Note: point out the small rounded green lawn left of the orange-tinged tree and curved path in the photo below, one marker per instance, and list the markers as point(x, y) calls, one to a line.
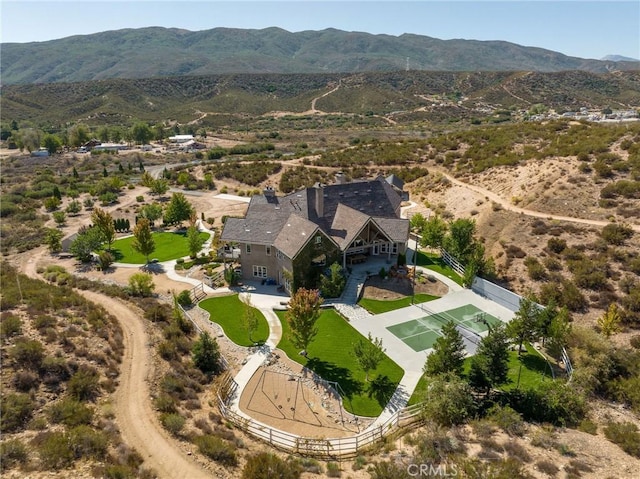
point(228, 312)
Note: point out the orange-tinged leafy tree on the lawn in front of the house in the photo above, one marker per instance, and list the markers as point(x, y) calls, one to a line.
point(303, 312)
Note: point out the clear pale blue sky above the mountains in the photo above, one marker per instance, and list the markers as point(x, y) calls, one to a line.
point(587, 29)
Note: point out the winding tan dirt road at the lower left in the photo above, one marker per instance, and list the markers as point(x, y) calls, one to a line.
point(135, 415)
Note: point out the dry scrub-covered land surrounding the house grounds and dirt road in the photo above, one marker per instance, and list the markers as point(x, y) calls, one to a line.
point(60, 356)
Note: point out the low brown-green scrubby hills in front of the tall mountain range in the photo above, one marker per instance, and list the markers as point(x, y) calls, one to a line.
point(403, 95)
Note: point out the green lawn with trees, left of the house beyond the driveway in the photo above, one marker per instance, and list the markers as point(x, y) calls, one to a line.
point(168, 246)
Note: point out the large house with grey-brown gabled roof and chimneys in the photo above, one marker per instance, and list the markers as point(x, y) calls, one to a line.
point(292, 239)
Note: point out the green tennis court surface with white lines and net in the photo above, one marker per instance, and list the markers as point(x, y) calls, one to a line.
point(420, 334)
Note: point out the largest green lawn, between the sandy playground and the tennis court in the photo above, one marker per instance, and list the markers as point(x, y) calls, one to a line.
point(330, 356)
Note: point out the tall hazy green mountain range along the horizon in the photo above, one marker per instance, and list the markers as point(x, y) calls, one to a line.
point(163, 52)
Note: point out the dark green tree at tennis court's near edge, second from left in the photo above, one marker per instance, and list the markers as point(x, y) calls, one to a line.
point(490, 365)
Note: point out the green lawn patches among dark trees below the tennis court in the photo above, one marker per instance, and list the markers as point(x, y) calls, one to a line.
point(534, 371)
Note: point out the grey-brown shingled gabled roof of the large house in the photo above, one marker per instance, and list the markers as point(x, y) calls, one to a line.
point(339, 210)
